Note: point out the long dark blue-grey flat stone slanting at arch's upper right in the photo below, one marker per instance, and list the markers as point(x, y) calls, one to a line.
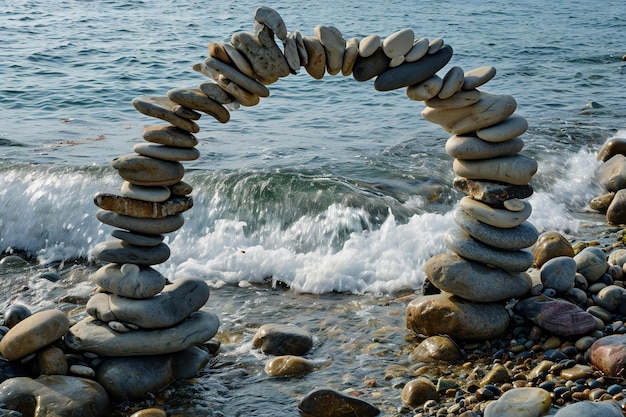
point(413, 72)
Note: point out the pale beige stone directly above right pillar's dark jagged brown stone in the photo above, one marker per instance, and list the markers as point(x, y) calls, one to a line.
point(516, 169)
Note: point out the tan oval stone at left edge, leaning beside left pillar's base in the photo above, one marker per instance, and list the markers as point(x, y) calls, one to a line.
point(33, 333)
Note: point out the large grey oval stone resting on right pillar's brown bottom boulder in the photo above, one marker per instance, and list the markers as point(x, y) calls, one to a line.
point(475, 281)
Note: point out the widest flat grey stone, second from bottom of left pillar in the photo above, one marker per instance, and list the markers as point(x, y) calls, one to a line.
point(91, 335)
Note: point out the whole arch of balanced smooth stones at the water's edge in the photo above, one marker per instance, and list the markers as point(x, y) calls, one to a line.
point(488, 243)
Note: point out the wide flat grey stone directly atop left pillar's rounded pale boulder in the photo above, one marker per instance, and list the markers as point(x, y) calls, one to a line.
point(119, 251)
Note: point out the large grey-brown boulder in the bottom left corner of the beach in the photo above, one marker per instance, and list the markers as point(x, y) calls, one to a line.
point(55, 395)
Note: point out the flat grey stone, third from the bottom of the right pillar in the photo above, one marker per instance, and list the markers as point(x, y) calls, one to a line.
point(461, 243)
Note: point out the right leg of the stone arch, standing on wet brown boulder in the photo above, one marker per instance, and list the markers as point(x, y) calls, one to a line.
point(489, 259)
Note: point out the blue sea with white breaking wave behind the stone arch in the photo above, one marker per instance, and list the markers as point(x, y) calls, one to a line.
point(327, 186)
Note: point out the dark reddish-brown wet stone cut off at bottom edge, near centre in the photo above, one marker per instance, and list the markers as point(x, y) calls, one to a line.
point(330, 403)
